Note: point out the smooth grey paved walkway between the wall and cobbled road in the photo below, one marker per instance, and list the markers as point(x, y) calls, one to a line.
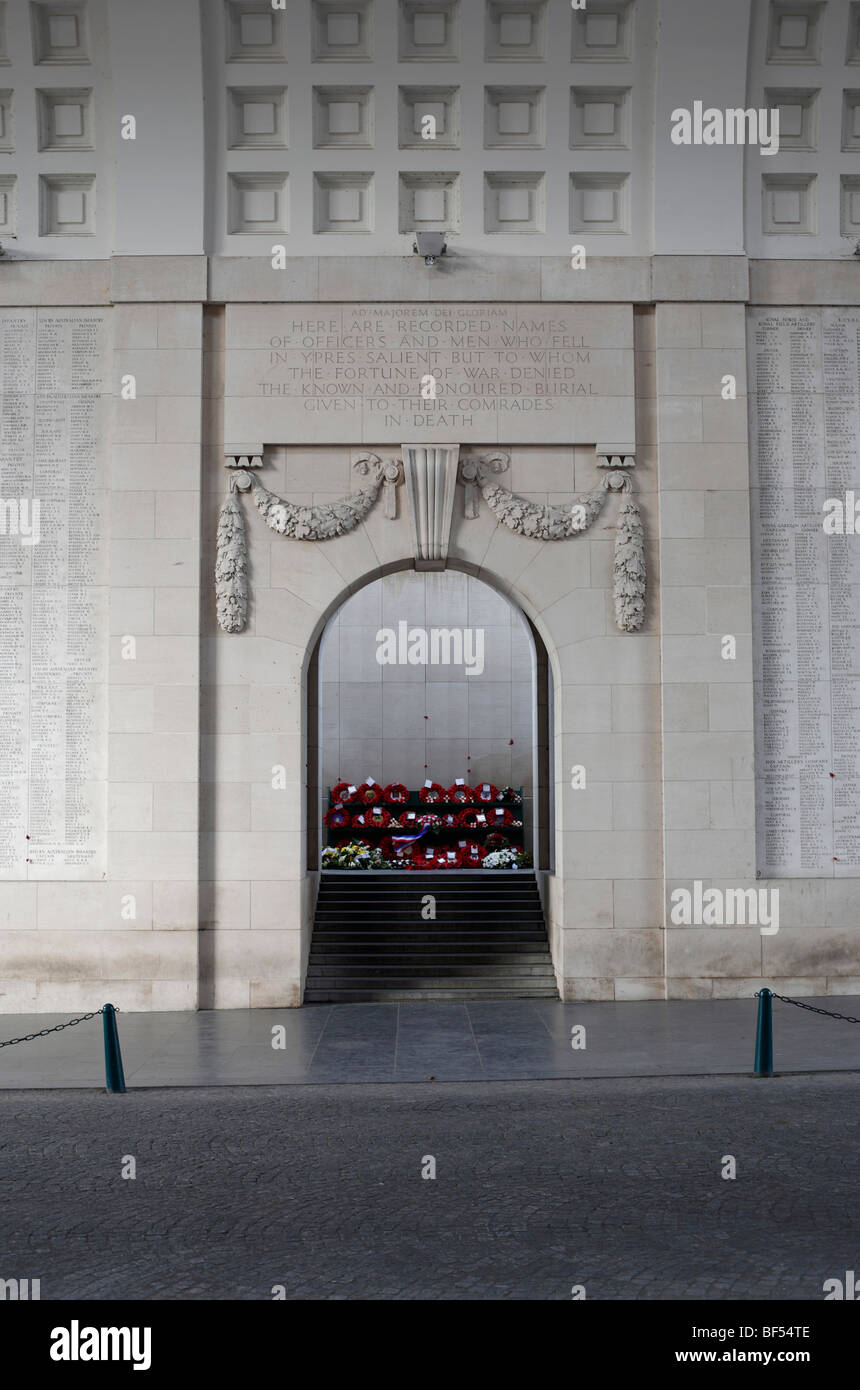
point(451, 1042)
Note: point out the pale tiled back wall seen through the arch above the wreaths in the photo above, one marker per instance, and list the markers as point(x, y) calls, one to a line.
point(481, 712)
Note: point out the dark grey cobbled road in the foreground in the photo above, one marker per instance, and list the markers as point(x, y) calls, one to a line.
point(540, 1186)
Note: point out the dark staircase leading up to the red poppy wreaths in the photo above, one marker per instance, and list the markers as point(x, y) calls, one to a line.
point(372, 943)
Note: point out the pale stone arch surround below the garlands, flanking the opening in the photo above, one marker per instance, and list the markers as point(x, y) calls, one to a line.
point(606, 865)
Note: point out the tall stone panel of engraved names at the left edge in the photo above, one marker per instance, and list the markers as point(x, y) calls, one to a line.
point(53, 601)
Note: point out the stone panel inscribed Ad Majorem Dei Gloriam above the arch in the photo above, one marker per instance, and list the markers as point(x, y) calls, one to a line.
point(444, 373)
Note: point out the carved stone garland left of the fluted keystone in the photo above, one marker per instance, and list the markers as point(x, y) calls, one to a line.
point(291, 519)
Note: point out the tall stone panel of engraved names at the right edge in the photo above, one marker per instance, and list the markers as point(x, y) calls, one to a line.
point(805, 416)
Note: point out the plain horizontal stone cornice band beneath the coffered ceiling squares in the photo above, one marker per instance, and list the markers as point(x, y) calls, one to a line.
point(625, 280)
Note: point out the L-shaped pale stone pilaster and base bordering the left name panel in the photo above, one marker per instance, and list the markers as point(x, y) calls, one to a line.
point(131, 938)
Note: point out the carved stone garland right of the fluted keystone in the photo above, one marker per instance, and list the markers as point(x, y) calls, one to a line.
point(559, 523)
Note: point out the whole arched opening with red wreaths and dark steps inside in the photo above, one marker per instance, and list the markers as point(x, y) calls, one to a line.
point(430, 679)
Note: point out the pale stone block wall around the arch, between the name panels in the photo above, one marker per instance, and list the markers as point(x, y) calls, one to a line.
point(209, 899)
